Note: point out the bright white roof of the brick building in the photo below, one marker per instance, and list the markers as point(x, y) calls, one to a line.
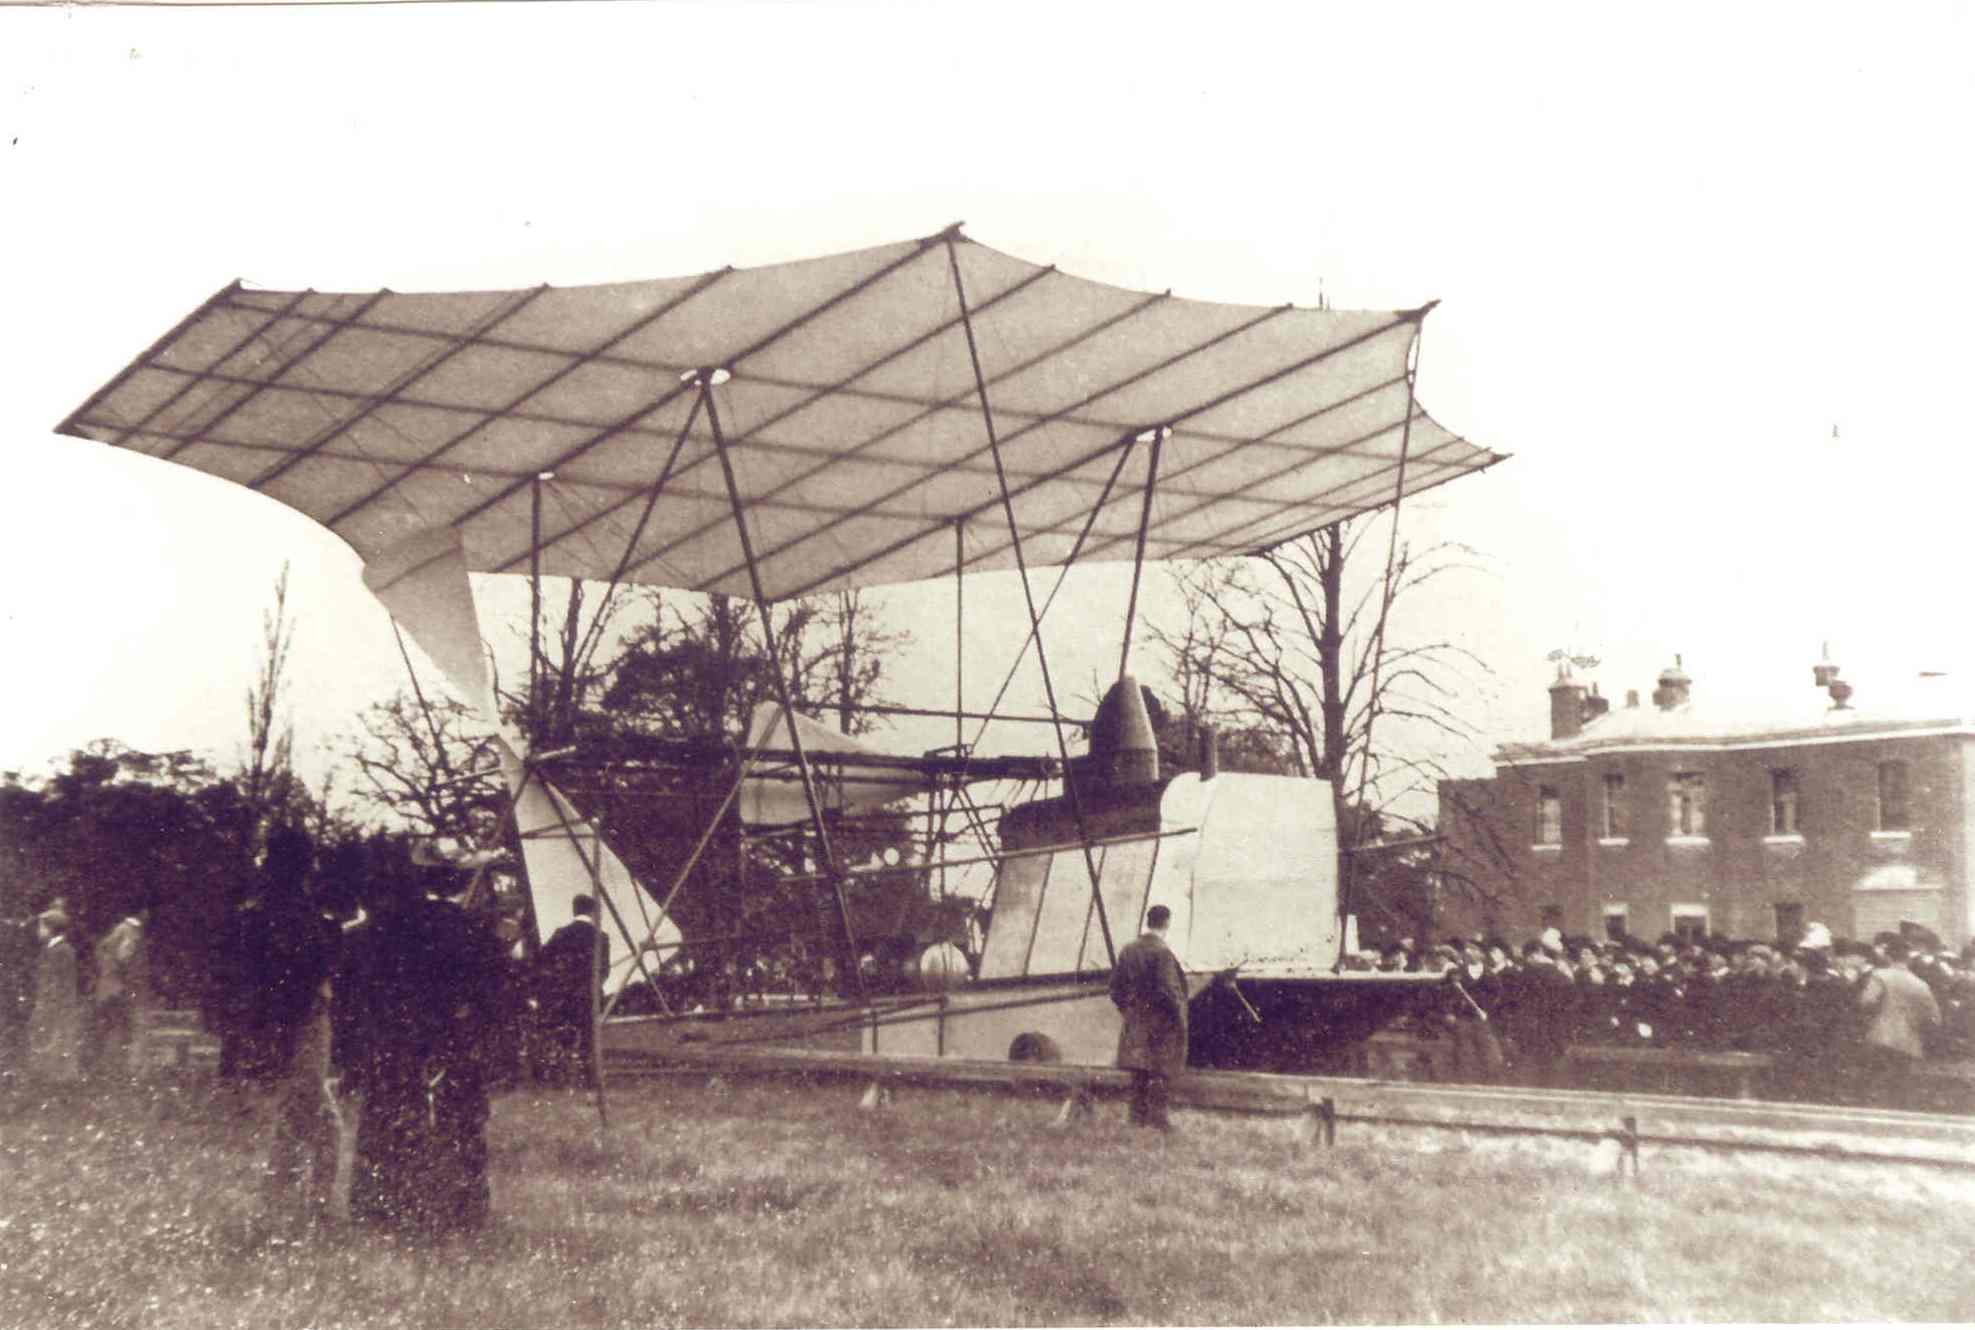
point(1887, 708)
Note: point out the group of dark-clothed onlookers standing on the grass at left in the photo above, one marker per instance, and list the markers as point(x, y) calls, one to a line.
point(360, 985)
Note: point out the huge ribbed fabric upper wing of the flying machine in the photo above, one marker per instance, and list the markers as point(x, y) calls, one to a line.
point(850, 412)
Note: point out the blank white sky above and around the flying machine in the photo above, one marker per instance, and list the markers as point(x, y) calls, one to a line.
point(1676, 246)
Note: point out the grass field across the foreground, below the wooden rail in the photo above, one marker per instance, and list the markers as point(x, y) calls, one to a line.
point(769, 1205)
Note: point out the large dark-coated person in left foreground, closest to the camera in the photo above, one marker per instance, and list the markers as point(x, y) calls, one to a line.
point(420, 987)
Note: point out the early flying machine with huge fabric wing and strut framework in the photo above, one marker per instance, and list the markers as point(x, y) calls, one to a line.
point(921, 410)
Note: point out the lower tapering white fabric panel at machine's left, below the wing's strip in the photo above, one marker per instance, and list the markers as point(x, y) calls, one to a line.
point(568, 859)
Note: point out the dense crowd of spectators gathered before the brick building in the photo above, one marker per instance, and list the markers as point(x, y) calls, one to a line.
point(1846, 1015)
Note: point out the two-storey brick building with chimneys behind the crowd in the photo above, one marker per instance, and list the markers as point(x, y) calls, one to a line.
point(1672, 817)
